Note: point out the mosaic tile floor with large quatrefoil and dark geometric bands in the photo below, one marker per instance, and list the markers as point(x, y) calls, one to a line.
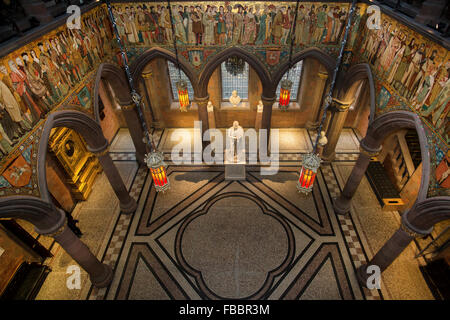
point(208, 238)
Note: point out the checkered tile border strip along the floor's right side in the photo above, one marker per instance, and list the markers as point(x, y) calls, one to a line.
point(349, 231)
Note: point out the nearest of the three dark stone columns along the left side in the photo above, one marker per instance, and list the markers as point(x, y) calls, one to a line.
point(100, 274)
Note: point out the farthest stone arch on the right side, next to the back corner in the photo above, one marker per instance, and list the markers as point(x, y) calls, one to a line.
point(354, 74)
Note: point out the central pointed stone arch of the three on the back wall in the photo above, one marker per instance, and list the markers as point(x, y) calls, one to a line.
point(209, 68)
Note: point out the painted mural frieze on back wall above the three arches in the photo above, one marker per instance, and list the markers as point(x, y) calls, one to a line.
point(203, 29)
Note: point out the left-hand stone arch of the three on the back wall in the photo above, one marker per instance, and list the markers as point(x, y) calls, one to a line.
point(139, 64)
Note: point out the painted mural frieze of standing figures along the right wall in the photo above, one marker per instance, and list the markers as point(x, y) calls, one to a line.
point(411, 73)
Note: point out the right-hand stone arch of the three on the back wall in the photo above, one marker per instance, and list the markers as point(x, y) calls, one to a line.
point(328, 62)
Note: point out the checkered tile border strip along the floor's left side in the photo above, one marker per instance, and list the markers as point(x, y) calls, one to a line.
point(117, 239)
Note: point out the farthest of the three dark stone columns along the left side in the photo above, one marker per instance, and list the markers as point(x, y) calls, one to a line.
point(130, 114)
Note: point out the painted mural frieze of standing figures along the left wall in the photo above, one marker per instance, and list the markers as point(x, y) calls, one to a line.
point(50, 73)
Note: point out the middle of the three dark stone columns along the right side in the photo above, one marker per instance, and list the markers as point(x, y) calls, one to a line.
point(342, 204)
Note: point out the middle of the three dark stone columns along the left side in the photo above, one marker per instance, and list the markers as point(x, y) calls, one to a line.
point(127, 203)
